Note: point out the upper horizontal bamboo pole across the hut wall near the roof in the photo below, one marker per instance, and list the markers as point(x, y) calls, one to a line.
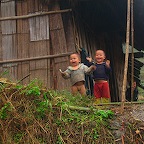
point(34, 15)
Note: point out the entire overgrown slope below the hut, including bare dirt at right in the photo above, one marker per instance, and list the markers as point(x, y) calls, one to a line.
point(31, 114)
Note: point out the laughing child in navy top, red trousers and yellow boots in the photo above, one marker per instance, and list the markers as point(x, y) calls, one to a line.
point(101, 77)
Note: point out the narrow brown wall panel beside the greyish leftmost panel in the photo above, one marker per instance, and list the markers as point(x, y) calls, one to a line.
point(23, 41)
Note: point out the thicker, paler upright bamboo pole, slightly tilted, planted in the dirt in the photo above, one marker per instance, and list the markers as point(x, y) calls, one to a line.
point(126, 56)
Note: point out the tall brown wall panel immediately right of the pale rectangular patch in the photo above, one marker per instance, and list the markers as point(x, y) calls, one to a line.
point(58, 43)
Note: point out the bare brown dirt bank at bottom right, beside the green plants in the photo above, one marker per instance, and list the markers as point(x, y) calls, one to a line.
point(128, 127)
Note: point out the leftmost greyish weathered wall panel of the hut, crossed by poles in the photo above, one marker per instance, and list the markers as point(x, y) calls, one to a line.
point(8, 42)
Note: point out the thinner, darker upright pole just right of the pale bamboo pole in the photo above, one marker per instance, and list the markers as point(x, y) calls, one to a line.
point(132, 52)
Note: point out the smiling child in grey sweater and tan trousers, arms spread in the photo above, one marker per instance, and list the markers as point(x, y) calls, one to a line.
point(76, 72)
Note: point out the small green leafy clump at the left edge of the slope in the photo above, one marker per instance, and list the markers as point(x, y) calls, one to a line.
point(4, 110)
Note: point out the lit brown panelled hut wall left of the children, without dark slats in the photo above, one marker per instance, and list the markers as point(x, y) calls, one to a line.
point(34, 37)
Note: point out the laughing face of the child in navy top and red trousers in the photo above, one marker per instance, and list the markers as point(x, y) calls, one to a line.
point(100, 56)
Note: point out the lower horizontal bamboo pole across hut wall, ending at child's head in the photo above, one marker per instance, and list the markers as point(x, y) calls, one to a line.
point(36, 58)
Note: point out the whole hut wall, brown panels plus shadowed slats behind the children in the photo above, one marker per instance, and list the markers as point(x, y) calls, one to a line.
point(52, 34)
